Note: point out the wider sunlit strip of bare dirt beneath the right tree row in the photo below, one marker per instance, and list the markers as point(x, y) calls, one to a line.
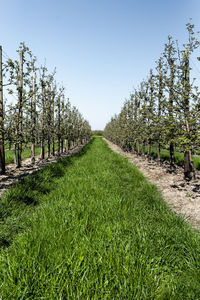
point(182, 197)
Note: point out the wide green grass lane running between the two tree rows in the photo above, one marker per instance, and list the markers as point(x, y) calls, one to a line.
point(92, 227)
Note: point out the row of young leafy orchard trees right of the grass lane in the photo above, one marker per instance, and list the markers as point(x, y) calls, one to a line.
point(164, 112)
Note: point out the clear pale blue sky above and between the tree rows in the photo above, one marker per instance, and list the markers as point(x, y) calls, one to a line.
point(101, 49)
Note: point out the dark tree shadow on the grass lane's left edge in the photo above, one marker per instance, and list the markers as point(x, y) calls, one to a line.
point(25, 196)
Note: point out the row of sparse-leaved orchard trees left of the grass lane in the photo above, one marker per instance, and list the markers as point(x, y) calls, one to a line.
point(40, 115)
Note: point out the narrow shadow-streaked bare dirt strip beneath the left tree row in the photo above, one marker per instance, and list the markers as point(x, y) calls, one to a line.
point(13, 174)
